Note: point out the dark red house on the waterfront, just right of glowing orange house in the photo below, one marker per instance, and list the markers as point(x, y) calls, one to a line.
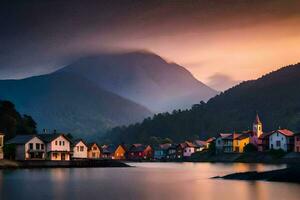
point(140, 152)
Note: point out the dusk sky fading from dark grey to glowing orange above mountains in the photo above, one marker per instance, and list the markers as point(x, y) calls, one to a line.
point(221, 42)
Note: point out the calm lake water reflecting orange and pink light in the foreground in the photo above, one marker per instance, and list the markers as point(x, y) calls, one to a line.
point(145, 181)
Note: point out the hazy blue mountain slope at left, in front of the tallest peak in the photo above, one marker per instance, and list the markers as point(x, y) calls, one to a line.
point(71, 104)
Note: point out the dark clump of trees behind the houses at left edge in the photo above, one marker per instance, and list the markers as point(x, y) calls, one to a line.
point(12, 122)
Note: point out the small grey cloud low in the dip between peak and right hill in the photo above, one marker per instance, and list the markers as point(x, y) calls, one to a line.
point(221, 82)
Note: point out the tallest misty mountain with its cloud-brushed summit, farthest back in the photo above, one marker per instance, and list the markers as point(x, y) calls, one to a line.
point(144, 78)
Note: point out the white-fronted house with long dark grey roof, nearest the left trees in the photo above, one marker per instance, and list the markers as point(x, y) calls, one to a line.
point(28, 147)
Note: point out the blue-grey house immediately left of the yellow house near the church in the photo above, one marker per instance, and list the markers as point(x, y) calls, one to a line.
point(224, 143)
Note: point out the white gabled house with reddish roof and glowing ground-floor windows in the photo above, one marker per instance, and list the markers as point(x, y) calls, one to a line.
point(58, 146)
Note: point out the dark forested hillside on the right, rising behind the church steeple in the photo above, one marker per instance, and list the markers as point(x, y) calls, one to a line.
point(275, 97)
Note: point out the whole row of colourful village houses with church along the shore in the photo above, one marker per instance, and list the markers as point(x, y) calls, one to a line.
point(58, 147)
